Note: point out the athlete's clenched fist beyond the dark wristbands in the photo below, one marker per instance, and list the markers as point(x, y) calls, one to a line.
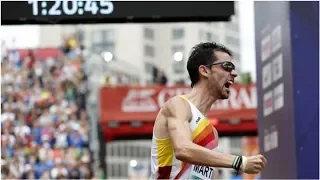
point(254, 164)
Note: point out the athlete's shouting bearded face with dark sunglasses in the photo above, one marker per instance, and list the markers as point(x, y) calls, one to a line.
point(220, 75)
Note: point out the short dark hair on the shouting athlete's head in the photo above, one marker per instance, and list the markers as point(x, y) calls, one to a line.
point(203, 54)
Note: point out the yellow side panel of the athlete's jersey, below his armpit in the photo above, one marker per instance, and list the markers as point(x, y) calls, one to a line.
point(164, 152)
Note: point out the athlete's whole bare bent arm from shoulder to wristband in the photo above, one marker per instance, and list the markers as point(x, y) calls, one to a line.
point(178, 114)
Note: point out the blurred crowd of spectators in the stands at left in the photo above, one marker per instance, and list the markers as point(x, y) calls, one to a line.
point(44, 124)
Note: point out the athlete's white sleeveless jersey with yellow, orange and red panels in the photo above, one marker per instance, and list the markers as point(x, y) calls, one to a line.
point(164, 164)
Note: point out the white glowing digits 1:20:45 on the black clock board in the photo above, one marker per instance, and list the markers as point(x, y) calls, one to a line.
point(58, 8)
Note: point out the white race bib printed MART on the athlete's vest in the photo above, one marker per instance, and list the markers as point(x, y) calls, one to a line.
point(201, 172)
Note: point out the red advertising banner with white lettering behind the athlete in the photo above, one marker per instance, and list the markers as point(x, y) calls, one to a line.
point(124, 104)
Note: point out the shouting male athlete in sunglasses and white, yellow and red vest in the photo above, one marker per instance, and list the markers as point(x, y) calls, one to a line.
point(183, 138)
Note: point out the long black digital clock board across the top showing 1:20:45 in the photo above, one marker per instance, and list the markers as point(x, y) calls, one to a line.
point(103, 11)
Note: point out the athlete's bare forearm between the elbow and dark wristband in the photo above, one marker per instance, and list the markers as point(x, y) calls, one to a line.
point(195, 154)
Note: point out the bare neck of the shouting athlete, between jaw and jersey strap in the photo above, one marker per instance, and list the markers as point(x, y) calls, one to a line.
point(201, 98)
